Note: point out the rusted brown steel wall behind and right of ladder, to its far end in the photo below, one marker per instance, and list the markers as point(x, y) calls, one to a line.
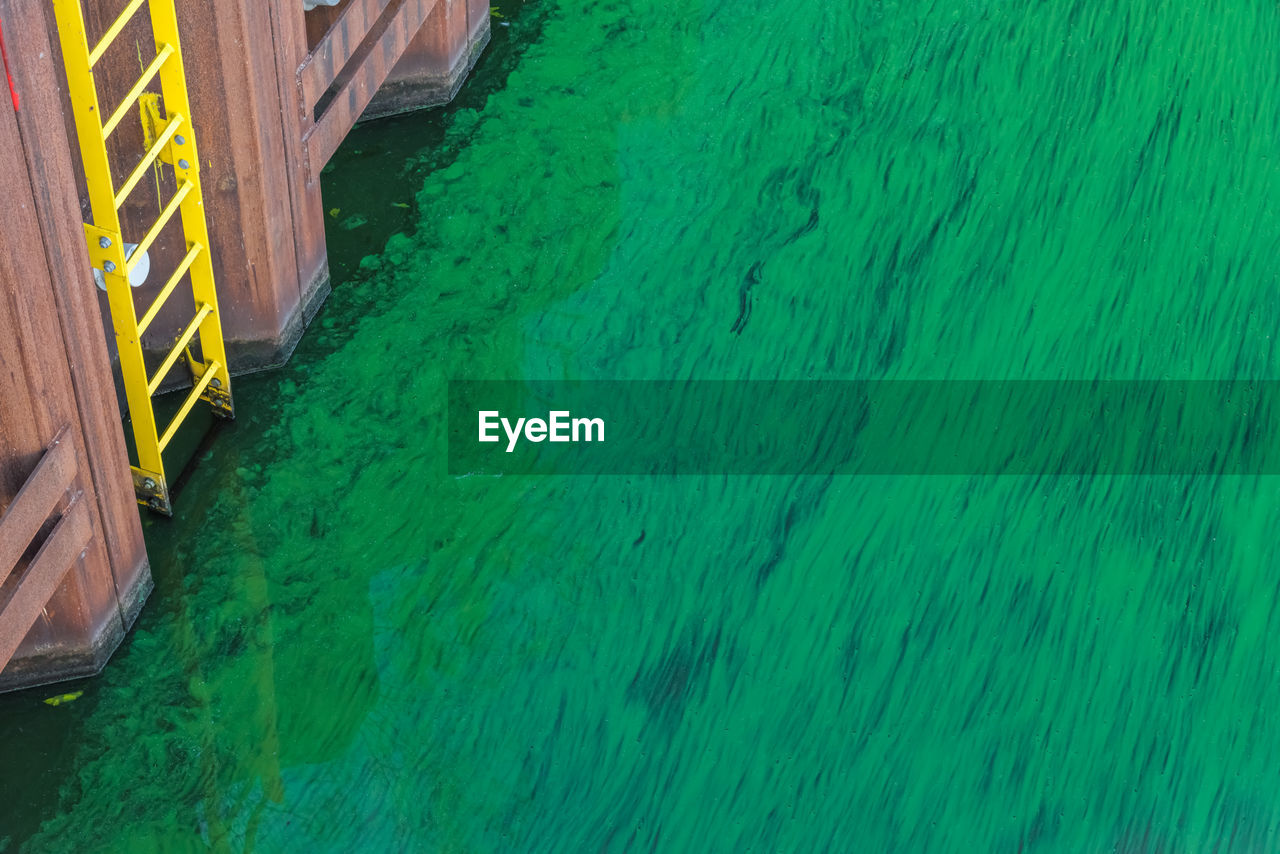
point(263, 145)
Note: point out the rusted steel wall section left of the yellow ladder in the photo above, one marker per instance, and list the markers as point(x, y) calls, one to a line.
point(56, 376)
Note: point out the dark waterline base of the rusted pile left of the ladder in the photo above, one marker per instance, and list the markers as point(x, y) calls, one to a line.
point(66, 661)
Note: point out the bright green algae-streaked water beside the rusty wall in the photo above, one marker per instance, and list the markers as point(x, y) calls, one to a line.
point(349, 650)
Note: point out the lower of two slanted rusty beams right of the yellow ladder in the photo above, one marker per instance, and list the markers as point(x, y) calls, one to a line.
point(376, 61)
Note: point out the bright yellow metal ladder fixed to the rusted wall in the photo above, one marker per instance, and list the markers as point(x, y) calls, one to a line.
point(170, 139)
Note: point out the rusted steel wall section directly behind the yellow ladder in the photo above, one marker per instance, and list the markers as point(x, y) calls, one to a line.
point(267, 236)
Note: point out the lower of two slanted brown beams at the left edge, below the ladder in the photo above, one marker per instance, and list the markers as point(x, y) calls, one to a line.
point(71, 536)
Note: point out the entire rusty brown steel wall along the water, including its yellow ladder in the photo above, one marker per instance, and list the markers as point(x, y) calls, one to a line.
point(273, 92)
